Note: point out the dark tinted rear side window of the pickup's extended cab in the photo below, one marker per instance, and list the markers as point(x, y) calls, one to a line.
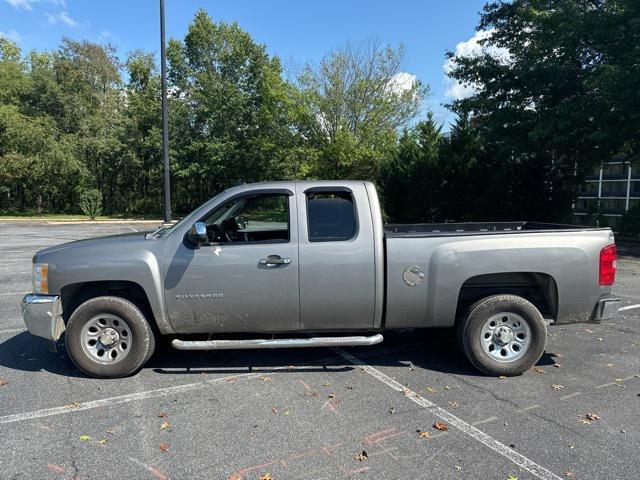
point(331, 216)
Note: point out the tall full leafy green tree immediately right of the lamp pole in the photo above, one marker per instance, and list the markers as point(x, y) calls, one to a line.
point(230, 108)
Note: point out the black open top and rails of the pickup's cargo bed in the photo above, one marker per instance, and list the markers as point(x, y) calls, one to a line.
point(475, 228)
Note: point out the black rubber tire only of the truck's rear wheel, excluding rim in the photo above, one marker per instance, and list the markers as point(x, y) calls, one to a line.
point(469, 333)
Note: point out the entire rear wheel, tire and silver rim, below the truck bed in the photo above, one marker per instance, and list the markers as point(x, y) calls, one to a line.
point(503, 335)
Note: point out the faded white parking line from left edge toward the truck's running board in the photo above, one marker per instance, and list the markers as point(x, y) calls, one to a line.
point(108, 402)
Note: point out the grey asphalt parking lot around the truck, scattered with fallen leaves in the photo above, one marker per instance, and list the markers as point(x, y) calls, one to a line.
point(362, 413)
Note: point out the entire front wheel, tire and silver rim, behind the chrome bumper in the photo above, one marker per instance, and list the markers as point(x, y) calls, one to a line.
point(109, 337)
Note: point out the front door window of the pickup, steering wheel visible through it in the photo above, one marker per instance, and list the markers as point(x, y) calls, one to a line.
point(251, 219)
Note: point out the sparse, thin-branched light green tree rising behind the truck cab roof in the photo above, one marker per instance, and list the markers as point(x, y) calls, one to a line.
point(356, 99)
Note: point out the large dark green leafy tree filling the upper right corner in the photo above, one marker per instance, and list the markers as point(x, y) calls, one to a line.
point(555, 94)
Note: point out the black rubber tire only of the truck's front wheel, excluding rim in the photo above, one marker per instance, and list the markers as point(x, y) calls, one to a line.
point(142, 337)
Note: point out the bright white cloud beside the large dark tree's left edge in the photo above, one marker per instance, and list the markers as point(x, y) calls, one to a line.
point(470, 48)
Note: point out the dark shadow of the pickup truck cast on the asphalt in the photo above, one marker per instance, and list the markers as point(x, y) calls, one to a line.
point(431, 349)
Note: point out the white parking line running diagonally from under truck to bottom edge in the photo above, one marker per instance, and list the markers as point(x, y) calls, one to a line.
point(464, 427)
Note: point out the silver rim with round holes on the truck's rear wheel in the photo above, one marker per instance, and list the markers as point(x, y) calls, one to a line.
point(505, 337)
